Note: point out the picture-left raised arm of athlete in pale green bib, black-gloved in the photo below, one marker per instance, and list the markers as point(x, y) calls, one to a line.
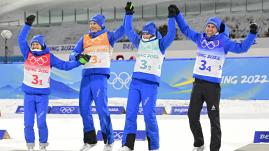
point(129, 31)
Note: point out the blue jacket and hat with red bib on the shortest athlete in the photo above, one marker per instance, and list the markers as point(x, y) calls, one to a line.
point(37, 66)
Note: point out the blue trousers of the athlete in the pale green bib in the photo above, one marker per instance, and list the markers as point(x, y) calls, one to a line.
point(145, 92)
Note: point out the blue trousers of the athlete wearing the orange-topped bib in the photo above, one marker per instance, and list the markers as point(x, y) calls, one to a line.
point(94, 88)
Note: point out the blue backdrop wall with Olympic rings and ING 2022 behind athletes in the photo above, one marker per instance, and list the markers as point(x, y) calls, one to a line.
point(243, 78)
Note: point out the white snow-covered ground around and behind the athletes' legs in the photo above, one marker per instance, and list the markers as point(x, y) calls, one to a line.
point(239, 120)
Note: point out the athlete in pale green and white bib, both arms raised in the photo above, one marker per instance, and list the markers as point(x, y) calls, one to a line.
point(146, 78)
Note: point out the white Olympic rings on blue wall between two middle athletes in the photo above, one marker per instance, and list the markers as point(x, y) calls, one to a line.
point(119, 81)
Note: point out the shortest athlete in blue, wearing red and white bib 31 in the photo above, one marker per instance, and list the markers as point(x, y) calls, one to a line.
point(36, 83)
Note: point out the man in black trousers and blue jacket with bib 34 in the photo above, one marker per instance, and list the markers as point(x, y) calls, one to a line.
point(212, 48)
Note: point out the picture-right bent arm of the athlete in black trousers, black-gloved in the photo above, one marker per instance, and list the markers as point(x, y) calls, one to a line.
point(231, 46)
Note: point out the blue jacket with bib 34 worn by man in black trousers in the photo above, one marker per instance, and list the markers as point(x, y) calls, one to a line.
point(212, 50)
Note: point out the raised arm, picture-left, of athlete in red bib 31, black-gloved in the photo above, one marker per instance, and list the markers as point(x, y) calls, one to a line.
point(22, 38)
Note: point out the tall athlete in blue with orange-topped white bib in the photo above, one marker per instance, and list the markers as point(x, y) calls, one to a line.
point(98, 43)
